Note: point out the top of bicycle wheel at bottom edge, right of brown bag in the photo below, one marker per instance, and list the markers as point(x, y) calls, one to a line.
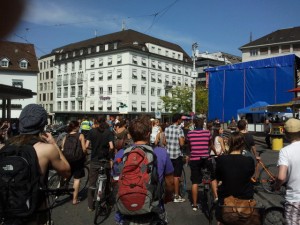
point(273, 216)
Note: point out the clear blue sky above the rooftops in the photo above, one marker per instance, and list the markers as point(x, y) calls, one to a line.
point(216, 25)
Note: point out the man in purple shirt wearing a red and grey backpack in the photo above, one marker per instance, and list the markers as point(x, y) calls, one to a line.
point(145, 178)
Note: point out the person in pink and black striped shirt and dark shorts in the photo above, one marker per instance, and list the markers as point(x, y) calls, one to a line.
point(200, 142)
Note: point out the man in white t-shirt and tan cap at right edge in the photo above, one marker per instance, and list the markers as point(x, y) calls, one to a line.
point(289, 167)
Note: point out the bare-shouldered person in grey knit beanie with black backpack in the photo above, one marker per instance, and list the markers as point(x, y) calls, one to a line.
point(24, 164)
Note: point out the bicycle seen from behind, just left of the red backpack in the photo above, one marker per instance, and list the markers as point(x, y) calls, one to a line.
point(103, 192)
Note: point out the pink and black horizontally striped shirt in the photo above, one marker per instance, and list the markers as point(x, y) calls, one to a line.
point(199, 142)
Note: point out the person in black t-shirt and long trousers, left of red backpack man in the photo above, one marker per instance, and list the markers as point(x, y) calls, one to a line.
point(101, 141)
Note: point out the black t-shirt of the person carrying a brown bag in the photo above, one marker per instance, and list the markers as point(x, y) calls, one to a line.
point(235, 172)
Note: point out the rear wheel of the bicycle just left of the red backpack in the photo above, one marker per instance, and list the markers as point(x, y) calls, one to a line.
point(101, 206)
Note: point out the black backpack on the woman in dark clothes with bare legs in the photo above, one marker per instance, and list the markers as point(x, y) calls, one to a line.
point(72, 148)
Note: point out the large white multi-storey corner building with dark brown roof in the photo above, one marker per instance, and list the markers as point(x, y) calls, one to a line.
point(124, 72)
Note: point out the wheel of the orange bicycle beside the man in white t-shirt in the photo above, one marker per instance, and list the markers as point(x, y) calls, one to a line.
point(267, 181)
